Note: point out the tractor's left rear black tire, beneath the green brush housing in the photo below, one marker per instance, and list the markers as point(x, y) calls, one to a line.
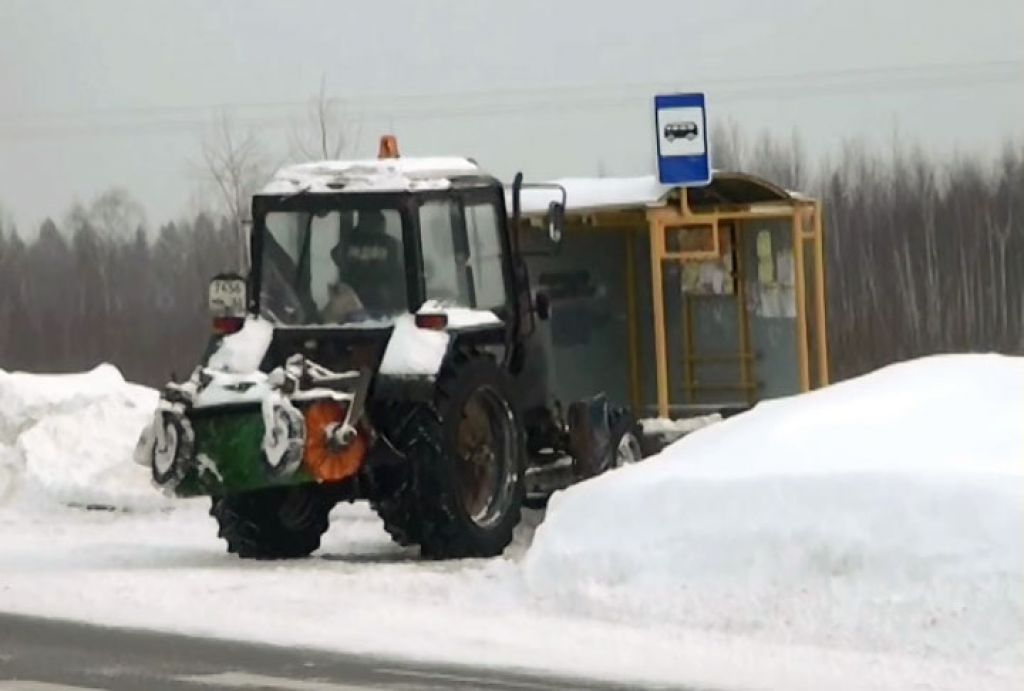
point(275, 524)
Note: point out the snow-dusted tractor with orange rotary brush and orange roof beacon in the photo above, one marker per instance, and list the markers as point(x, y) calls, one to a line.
point(383, 347)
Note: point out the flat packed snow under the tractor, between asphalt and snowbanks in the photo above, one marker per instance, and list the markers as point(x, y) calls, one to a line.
point(362, 594)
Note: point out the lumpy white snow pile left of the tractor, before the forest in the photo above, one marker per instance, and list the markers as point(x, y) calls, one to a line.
point(71, 439)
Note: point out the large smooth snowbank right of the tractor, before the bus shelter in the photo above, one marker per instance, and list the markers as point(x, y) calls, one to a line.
point(882, 514)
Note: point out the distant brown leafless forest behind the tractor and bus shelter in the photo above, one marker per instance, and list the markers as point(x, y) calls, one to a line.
point(924, 256)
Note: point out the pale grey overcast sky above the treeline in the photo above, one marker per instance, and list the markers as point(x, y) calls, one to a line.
point(101, 94)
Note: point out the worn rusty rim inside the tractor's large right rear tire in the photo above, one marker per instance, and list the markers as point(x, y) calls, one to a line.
point(487, 447)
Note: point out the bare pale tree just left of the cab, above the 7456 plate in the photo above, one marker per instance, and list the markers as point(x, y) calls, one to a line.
point(236, 161)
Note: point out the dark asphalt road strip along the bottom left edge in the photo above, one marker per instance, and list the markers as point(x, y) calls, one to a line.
point(54, 656)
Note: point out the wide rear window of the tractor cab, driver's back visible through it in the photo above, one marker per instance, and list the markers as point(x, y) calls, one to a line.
point(340, 267)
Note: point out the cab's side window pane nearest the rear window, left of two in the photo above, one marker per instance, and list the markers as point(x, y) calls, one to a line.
point(445, 255)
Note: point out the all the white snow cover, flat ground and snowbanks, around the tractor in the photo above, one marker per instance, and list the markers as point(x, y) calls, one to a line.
point(870, 536)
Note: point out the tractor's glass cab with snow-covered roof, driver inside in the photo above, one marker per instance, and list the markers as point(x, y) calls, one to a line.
point(354, 243)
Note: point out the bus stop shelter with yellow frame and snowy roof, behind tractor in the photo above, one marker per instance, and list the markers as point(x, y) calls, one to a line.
point(713, 298)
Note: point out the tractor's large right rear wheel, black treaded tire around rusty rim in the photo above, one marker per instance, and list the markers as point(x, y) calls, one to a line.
point(431, 507)
